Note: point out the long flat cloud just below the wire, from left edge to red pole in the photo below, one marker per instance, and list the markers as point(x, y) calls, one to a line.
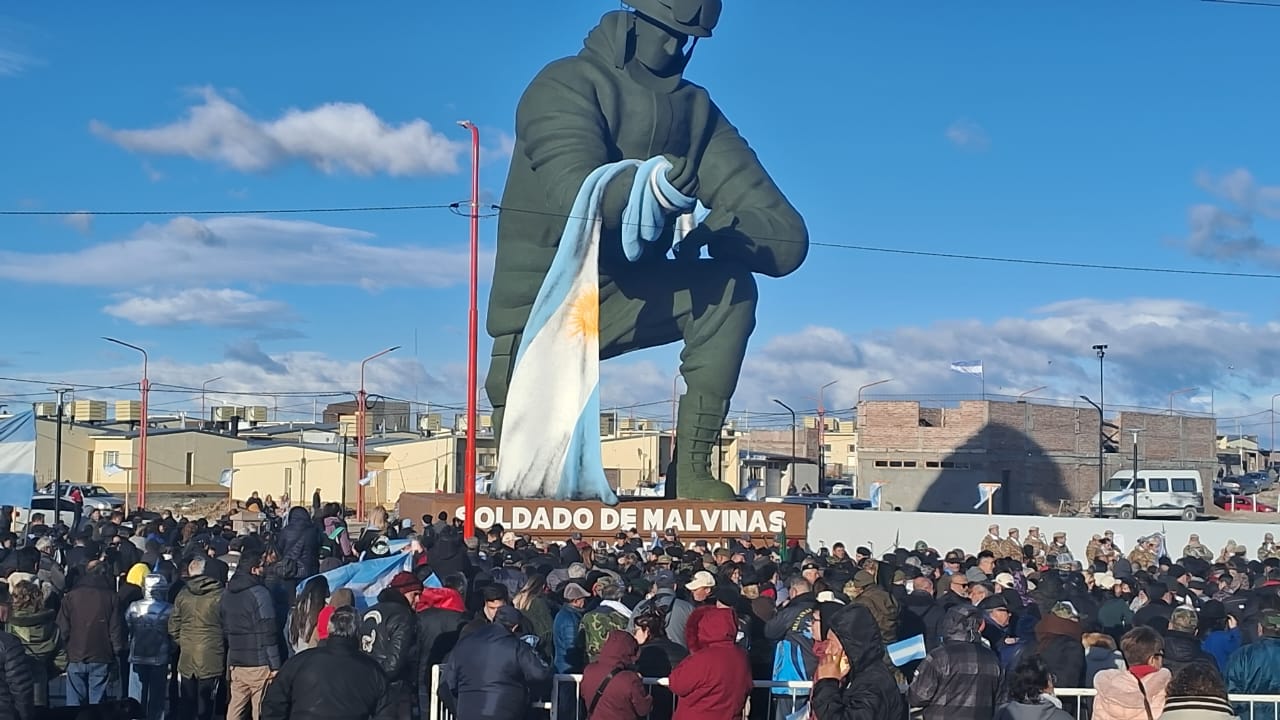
point(186, 252)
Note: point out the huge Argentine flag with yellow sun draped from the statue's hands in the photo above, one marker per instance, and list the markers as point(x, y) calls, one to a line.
point(551, 441)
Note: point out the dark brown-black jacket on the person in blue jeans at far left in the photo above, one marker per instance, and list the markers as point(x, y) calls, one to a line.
point(93, 622)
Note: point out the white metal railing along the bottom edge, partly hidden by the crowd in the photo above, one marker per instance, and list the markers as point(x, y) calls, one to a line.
point(563, 703)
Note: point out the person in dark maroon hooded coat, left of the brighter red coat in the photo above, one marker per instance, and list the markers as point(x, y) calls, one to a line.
point(611, 687)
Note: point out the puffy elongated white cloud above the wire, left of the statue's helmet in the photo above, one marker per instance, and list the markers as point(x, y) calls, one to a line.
point(332, 138)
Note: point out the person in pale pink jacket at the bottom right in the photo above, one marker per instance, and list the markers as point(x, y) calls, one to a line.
point(1137, 692)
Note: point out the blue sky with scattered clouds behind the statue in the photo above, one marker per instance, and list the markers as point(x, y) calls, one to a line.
point(1136, 134)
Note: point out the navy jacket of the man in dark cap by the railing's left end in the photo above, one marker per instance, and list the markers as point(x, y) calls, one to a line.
point(491, 676)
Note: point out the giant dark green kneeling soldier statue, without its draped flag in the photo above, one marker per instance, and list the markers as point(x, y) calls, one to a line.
point(624, 98)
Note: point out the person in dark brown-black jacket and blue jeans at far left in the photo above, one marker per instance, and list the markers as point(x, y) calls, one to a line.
point(93, 623)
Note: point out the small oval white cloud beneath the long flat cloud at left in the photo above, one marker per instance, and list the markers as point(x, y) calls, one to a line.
point(223, 308)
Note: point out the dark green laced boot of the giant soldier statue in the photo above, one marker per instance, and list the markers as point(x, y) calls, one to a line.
point(698, 431)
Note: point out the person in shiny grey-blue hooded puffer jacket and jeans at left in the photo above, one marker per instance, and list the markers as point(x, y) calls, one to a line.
point(150, 646)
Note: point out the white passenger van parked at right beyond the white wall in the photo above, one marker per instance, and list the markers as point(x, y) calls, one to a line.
point(1153, 494)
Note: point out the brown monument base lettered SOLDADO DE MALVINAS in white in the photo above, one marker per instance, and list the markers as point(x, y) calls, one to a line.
point(552, 521)
